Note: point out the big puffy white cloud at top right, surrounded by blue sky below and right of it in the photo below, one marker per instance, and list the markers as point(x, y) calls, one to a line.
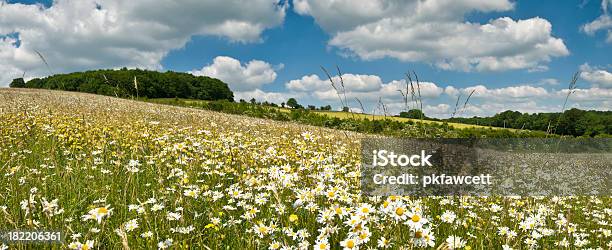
point(436, 32)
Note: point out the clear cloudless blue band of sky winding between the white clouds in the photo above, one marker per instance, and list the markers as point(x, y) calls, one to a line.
point(301, 45)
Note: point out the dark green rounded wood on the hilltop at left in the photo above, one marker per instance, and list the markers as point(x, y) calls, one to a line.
point(150, 84)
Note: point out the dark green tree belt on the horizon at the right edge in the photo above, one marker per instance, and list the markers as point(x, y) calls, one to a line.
point(573, 122)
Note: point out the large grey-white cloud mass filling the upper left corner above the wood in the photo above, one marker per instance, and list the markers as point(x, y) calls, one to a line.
point(82, 34)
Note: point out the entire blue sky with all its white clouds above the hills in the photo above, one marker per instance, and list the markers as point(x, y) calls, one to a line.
point(536, 48)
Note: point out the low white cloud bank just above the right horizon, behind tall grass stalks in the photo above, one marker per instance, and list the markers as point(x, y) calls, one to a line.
point(440, 101)
